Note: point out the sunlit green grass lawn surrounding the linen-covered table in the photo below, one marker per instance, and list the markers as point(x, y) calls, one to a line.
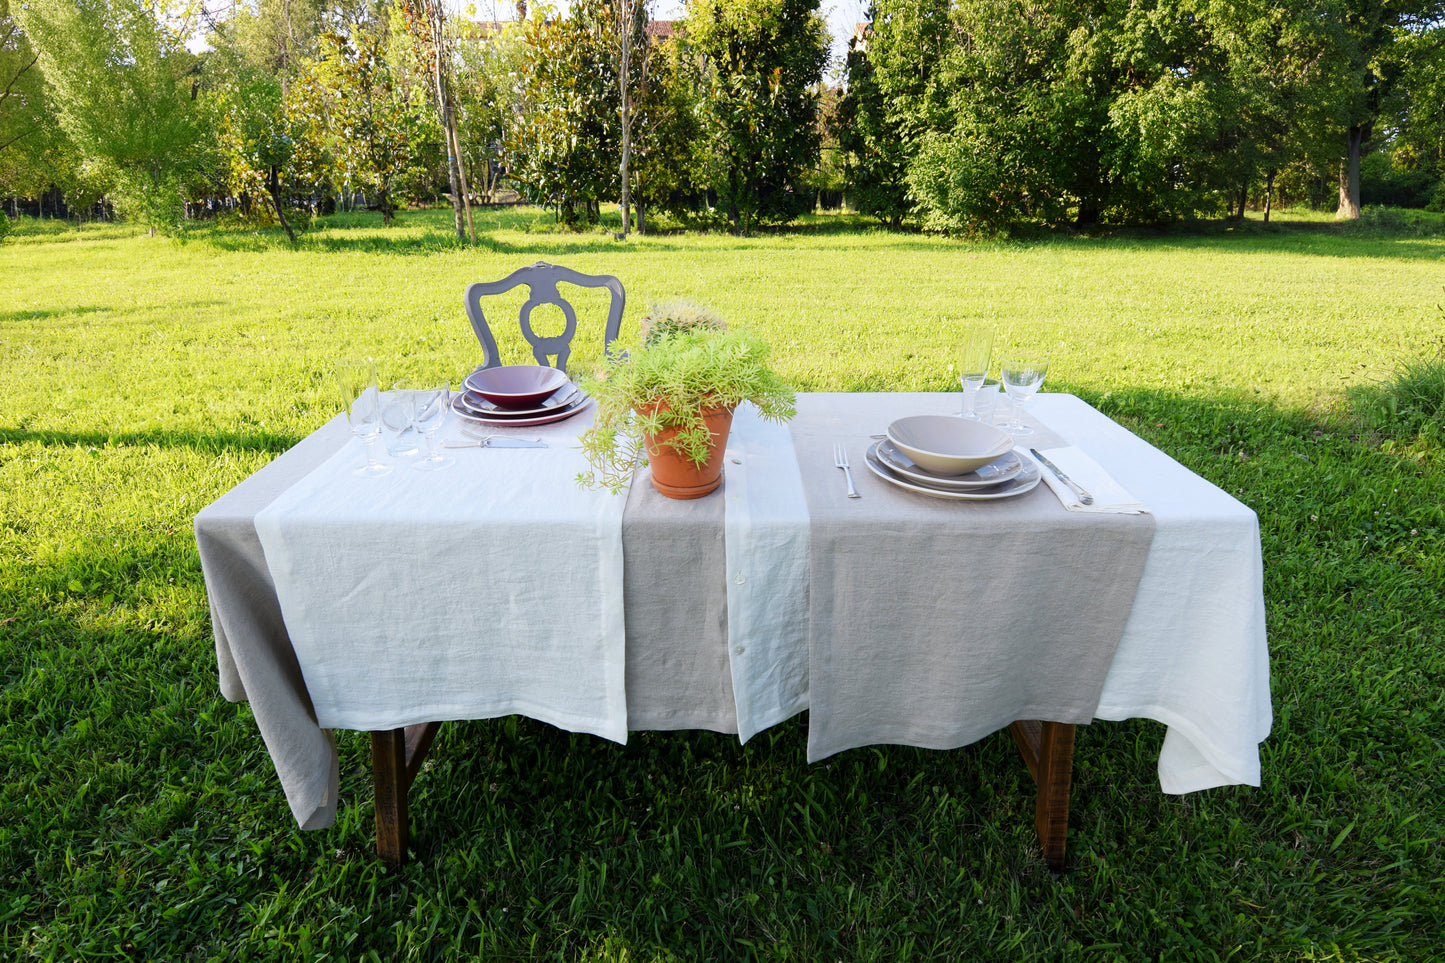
point(142, 378)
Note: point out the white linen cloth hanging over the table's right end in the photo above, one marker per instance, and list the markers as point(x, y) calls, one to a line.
point(1194, 651)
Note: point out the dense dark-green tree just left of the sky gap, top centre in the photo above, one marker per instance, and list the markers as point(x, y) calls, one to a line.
point(759, 64)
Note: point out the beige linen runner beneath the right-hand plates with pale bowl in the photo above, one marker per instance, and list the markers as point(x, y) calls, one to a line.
point(937, 622)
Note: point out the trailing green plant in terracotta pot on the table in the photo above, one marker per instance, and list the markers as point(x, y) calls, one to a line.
point(668, 401)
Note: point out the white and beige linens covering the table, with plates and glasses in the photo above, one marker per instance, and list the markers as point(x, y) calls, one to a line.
point(900, 601)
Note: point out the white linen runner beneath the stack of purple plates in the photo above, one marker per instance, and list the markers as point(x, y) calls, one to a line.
point(514, 592)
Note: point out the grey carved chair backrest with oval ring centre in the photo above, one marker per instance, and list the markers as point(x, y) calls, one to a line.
point(541, 281)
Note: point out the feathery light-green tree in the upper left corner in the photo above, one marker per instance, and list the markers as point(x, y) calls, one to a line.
point(125, 90)
